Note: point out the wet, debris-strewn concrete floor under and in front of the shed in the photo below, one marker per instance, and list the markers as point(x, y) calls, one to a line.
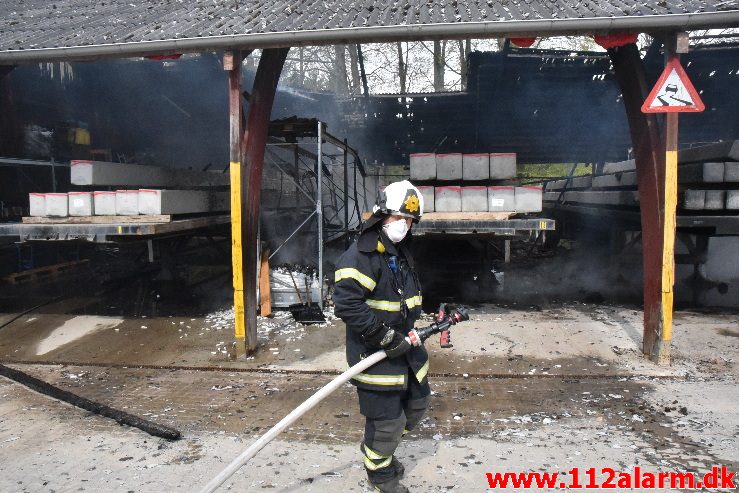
point(544, 387)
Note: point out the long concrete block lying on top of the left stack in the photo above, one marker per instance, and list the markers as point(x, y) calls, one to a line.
point(136, 175)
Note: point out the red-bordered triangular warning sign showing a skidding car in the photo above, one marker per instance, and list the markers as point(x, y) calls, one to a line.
point(673, 92)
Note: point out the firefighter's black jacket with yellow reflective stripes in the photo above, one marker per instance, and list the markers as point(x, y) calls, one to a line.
point(368, 293)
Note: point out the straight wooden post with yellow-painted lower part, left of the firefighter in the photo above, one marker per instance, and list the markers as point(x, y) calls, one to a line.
point(232, 63)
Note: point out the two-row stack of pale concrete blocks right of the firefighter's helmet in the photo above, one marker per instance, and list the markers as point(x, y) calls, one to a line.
point(482, 182)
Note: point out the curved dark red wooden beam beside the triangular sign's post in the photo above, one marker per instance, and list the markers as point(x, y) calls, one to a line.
point(650, 168)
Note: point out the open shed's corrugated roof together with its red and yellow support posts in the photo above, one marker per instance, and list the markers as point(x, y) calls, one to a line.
point(35, 31)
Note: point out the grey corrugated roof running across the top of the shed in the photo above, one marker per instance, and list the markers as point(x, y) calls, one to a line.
point(35, 24)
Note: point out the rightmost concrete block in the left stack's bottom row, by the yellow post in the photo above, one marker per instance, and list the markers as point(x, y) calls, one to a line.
point(181, 201)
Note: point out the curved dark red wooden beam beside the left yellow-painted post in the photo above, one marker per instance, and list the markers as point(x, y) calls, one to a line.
point(252, 148)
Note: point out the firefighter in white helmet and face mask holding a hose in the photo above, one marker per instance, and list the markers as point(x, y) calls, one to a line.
point(378, 295)
